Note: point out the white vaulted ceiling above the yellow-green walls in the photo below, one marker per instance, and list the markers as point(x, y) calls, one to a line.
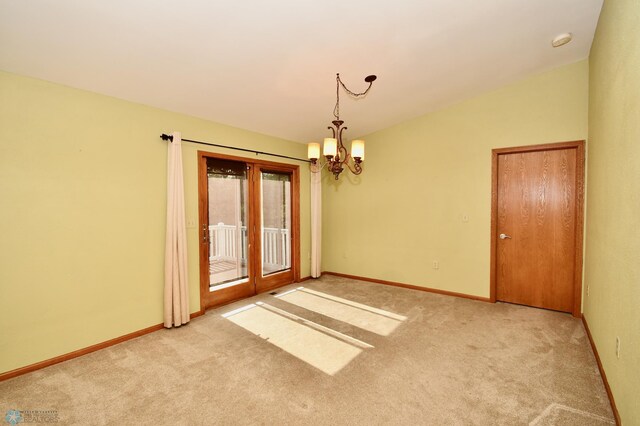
point(270, 66)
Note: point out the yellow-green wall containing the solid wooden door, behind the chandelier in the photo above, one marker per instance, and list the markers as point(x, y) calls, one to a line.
point(422, 176)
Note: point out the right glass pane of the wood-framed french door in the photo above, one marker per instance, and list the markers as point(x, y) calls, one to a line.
point(275, 221)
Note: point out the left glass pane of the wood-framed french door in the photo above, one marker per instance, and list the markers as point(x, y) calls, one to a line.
point(228, 217)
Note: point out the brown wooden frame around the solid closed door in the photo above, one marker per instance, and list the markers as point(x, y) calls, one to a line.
point(579, 146)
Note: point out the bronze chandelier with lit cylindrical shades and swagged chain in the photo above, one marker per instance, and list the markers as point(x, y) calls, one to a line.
point(336, 154)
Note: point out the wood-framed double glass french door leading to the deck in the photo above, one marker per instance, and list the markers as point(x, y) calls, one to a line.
point(249, 227)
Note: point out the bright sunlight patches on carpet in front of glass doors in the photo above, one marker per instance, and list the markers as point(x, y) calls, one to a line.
point(324, 348)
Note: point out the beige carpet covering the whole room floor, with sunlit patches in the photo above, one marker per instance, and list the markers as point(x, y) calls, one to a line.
point(336, 351)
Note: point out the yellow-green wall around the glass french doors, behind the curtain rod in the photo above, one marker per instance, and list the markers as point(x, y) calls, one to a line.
point(82, 211)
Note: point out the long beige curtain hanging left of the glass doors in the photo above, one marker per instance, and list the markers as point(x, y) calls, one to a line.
point(176, 288)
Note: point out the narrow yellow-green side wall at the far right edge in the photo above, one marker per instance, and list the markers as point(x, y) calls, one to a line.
point(612, 267)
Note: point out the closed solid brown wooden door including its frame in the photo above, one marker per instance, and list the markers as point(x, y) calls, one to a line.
point(537, 226)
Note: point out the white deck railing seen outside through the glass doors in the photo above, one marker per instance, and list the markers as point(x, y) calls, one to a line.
point(224, 244)
